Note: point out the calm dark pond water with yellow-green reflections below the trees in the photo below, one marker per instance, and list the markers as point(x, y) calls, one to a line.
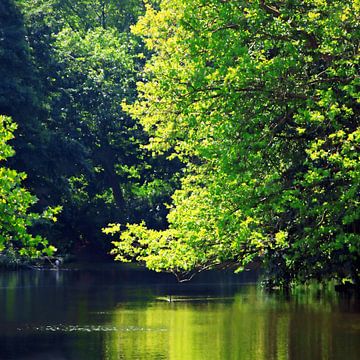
point(118, 312)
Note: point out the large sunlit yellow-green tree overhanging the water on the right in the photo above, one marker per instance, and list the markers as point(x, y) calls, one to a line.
point(260, 100)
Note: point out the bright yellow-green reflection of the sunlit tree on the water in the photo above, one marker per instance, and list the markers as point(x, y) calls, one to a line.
point(250, 327)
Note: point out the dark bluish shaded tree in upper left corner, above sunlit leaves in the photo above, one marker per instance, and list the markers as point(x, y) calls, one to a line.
point(19, 89)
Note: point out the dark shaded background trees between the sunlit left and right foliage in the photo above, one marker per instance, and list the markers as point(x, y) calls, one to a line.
point(66, 68)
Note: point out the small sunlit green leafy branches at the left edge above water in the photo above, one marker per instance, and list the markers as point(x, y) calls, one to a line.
point(15, 206)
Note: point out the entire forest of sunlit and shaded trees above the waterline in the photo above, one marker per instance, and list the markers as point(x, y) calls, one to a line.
point(183, 135)
